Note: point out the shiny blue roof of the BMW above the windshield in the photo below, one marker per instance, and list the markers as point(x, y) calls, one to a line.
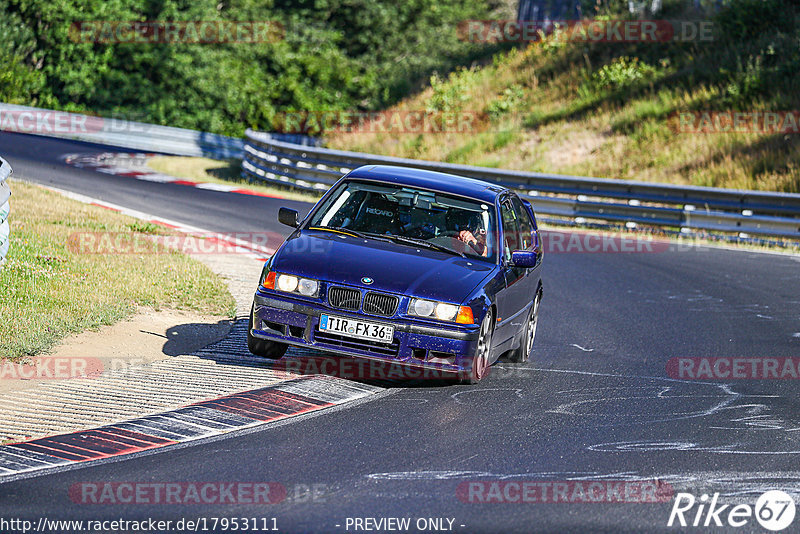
point(436, 181)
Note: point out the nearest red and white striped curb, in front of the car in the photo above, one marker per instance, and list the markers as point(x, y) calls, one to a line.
point(202, 420)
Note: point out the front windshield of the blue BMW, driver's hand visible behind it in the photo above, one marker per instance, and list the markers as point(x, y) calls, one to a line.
point(461, 226)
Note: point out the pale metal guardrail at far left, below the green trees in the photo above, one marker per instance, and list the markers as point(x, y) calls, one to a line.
point(118, 132)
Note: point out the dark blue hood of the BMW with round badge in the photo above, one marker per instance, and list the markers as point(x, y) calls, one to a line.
point(393, 267)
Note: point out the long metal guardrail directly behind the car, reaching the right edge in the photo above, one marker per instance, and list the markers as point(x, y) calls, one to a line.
point(578, 199)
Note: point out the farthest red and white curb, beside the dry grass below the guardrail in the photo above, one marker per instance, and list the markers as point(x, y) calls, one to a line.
point(133, 166)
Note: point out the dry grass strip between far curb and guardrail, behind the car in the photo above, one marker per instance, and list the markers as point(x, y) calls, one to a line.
point(226, 172)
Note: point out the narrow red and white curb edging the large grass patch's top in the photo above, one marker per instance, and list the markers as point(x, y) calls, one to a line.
point(240, 246)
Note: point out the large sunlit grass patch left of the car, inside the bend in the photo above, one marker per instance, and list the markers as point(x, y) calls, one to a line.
point(51, 290)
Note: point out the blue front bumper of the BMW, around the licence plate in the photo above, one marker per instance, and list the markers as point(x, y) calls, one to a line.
point(285, 319)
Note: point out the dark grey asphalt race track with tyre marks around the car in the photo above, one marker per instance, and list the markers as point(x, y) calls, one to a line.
point(595, 403)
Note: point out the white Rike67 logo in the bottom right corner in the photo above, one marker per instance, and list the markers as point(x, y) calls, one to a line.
point(774, 510)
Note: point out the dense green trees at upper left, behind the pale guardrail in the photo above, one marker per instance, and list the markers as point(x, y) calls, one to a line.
point(335, 54)
